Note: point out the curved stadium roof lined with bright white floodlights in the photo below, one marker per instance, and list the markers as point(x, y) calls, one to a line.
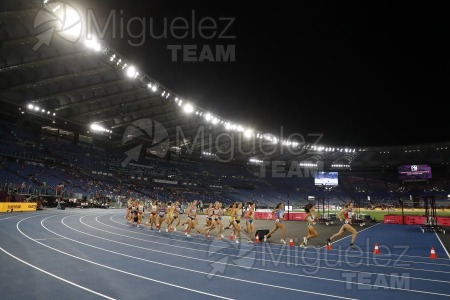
point(51, 73)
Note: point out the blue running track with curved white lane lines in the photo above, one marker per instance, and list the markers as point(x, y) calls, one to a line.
point(95, 254)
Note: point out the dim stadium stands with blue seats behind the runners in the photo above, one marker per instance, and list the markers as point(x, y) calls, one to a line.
point(52, 166)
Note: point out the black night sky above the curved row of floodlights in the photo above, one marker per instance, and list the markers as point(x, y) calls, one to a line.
point(361, 73)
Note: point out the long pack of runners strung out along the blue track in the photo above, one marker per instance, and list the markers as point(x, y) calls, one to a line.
point(241, 220)
